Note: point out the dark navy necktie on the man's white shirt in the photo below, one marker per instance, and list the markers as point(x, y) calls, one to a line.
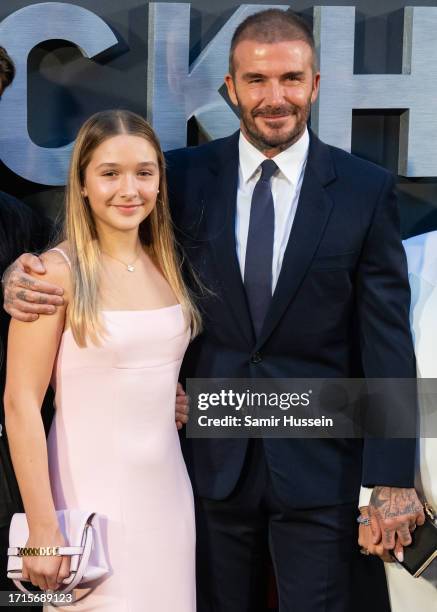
point(259, 251)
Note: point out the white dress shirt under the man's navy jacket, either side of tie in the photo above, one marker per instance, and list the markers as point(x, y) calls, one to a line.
point(286, 185)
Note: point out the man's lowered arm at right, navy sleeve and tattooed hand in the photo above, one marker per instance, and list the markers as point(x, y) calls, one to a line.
point(387, 351)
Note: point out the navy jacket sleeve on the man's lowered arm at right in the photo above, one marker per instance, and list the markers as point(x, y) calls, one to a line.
point(383, 302)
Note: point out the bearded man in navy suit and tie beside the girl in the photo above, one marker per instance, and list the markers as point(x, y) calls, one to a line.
point(299, 246)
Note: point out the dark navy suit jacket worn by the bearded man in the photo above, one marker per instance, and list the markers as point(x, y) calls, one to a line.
point(340, 309)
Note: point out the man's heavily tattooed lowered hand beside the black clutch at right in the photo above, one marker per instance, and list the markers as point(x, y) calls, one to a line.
point(394, 513)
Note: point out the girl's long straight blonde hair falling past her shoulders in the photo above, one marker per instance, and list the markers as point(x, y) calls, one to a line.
point(155, 232)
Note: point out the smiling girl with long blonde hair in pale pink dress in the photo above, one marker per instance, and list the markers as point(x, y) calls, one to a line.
point(113, 354)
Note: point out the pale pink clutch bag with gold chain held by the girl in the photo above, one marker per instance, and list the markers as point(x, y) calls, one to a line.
point(83, 532)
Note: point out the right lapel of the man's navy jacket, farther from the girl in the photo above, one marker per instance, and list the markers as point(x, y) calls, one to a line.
point(312, 214)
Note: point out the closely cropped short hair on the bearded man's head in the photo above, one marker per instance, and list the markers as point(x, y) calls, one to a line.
point(272, 26)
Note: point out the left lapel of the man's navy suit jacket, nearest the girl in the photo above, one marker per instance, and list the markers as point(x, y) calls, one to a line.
point(221, 199)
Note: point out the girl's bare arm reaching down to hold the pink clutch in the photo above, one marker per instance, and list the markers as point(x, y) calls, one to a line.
point(32, 349)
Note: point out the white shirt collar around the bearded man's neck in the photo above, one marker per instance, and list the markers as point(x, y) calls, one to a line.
point(290, 162)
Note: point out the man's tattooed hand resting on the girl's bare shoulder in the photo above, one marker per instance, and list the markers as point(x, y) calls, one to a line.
point(26, 297)
